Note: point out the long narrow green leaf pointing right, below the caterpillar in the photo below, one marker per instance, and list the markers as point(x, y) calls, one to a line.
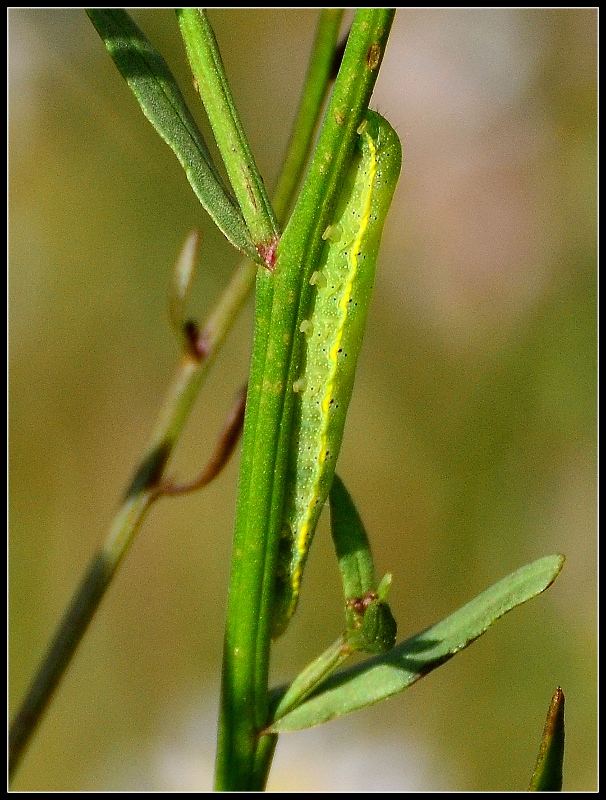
point(379, 678)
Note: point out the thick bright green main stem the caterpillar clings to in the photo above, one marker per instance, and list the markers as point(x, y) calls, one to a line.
point(268, 424)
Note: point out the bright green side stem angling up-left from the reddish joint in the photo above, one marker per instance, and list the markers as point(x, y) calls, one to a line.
point(209, 73)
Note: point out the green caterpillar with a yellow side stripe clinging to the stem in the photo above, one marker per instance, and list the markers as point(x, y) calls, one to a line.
point(334, 334)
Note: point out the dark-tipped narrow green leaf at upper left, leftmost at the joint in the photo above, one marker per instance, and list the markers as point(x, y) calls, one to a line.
point(160, 98)
